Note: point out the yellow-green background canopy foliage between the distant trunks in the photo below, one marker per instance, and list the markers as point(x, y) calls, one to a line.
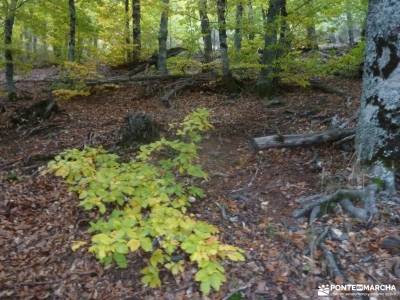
point(106, 31)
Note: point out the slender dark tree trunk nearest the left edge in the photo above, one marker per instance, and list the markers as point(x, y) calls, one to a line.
point(8, 53)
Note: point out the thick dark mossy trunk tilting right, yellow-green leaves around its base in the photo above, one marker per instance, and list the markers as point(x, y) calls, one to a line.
point(266, 82)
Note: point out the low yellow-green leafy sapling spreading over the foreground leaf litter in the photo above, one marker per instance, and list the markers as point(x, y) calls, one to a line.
point(143, 205)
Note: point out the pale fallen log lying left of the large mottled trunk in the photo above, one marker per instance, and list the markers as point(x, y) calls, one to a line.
point(301, 140)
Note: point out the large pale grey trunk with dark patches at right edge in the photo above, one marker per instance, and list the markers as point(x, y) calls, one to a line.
point(378, 133)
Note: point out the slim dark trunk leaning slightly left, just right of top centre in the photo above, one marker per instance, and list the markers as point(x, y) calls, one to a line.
point(221, 7)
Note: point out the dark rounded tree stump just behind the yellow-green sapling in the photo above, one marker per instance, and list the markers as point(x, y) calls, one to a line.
point(138, 129)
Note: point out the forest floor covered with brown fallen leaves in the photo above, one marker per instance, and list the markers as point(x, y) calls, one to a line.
point(250, 197)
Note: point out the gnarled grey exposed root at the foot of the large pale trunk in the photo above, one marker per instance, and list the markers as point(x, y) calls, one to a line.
point(346, 197)
